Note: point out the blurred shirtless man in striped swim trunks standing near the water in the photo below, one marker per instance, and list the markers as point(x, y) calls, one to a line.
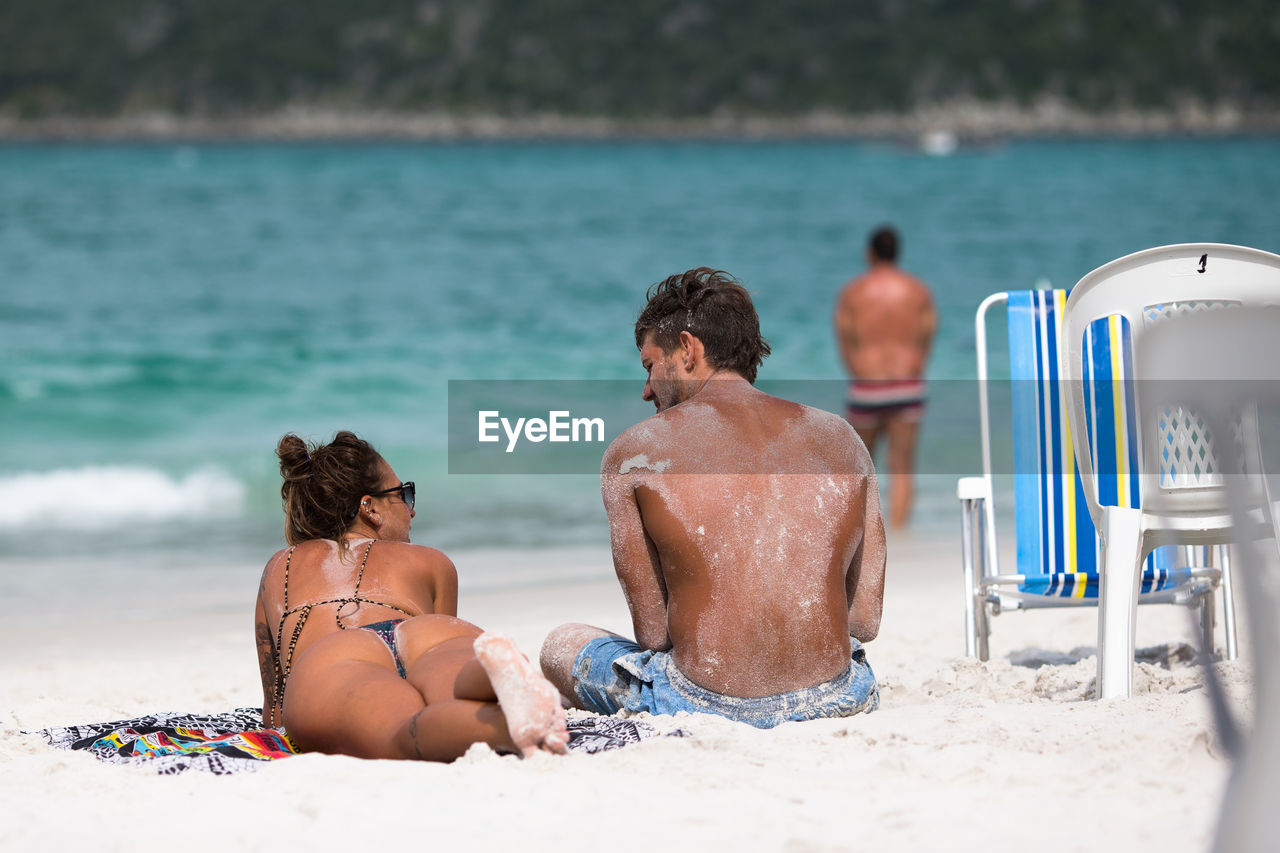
point(885, 326)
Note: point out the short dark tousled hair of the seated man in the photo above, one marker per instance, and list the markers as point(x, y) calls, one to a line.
point(712, 307)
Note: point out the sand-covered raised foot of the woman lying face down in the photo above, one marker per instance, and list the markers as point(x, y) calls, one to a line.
point(531, 704)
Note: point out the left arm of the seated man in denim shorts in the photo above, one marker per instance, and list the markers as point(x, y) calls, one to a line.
point(636, 560)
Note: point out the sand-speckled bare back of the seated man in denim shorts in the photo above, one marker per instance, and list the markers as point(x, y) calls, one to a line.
point(757, 509)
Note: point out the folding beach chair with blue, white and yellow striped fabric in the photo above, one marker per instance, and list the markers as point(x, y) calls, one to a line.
point(1058, 549)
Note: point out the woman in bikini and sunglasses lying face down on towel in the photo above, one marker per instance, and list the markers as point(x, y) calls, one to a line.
point(358, 640)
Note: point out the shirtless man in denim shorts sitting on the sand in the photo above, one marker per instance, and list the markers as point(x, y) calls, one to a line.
point(747, 535)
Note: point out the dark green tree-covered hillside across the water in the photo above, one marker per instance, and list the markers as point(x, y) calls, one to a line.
point(641, 60)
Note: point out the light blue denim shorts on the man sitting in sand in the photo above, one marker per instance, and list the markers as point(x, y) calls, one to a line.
point(611, 674)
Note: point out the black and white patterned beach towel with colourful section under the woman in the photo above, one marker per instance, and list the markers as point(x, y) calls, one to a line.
point(237, 741)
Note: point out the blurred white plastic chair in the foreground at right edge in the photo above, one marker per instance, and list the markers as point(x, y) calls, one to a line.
point(1232, 376)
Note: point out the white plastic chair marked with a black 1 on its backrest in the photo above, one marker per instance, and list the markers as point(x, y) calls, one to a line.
point(1182, 498)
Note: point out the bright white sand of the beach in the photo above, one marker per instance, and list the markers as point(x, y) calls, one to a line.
point(962, 756)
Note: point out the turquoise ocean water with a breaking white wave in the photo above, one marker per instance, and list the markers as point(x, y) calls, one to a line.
point(168, 312)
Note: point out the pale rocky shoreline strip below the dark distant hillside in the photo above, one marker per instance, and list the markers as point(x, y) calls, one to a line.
point(964, 122)
